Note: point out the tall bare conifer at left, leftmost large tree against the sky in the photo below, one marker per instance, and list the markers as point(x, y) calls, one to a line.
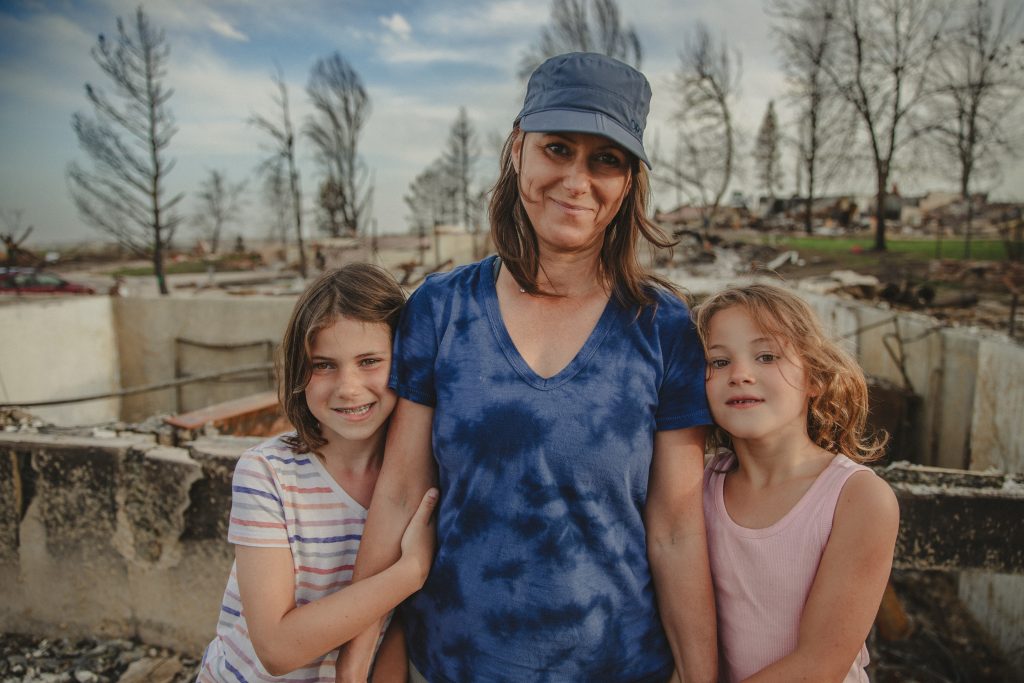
point(127, 141)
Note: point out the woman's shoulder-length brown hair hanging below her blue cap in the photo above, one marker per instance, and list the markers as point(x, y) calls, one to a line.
point(620, 265)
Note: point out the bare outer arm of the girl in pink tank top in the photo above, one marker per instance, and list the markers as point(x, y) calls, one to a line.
point(848, 587)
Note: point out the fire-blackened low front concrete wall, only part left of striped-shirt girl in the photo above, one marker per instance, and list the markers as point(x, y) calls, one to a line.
point(116, 538)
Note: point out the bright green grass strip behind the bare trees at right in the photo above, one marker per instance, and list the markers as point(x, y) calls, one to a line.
point(987, 250)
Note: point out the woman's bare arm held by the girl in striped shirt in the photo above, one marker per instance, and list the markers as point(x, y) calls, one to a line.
point(408, 472)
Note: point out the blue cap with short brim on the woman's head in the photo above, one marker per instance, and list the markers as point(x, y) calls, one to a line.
point(586, 93)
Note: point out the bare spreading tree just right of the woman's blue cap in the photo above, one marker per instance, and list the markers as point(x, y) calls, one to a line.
point(706, 88)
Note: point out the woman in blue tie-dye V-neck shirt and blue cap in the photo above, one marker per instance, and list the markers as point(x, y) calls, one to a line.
point(556, 394)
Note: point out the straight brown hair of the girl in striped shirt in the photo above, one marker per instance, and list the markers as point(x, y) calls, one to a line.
point(358, 291)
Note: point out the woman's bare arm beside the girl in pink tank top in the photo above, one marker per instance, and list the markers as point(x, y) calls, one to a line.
point(677, 548)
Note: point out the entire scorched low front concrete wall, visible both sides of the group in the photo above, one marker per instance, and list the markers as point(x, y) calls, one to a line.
point(123, 538)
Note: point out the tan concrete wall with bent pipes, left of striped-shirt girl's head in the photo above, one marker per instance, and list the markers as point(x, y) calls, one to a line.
point(147, 328)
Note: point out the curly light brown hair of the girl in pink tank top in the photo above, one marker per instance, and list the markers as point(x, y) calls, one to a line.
point(837, 414)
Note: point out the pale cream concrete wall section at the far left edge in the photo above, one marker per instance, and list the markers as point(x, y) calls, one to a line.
point(61, 349)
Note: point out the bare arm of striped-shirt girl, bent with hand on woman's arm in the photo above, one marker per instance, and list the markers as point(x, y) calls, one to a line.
point(286, 637)
